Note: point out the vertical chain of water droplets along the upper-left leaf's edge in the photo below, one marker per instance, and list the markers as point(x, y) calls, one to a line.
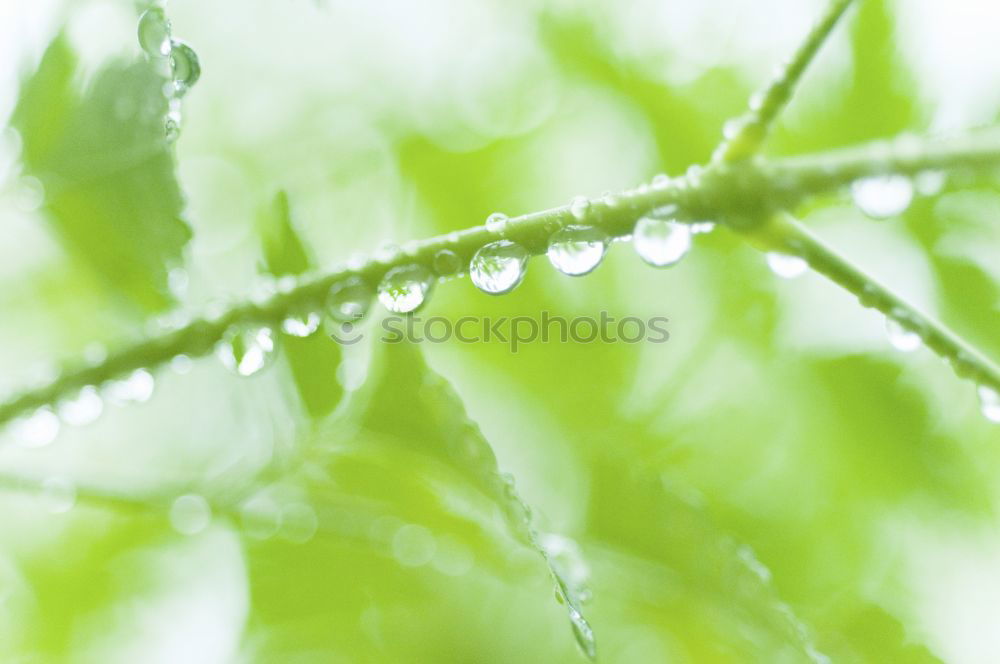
point(156, 40)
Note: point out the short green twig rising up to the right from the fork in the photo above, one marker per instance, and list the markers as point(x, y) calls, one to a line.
point(745, 133)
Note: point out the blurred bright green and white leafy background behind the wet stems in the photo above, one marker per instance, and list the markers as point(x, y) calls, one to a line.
point(774, 484)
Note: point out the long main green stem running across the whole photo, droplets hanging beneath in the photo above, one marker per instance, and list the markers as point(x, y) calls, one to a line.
point(741, 195)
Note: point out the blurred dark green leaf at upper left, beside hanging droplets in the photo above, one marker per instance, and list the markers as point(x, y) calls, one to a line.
point(109, 175)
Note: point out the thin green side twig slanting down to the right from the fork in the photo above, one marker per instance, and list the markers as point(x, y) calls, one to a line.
point(786, 234)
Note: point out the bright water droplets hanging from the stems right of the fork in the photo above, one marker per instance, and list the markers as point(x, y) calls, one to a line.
point(882, 197)
